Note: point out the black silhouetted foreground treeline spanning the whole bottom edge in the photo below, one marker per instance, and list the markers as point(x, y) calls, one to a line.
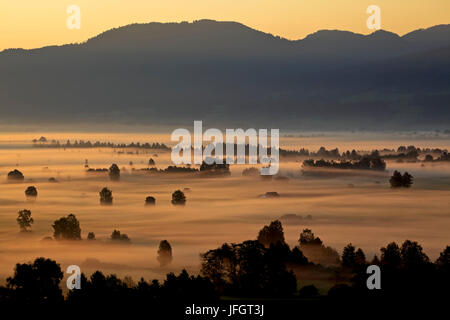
point(263, 268)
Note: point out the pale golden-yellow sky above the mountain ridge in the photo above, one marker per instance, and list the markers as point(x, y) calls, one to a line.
point(32, 24)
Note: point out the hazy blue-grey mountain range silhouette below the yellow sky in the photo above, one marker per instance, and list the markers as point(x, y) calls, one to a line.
point(230, 75)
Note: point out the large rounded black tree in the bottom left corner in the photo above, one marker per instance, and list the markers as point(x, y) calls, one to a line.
point(37, 283)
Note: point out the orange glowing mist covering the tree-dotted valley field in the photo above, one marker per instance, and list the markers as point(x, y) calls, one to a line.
point(360, 208)
